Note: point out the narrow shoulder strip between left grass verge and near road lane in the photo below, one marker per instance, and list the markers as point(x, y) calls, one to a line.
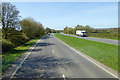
point(17, 63)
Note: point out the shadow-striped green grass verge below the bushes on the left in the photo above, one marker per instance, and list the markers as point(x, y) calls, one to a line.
point(12, 55)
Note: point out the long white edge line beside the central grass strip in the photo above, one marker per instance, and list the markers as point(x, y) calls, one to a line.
point(87, 58)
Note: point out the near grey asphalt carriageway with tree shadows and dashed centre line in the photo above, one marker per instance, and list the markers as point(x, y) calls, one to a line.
point(52, 59)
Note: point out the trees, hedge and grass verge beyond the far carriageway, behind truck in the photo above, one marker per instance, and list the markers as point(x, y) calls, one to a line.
point(111, 33)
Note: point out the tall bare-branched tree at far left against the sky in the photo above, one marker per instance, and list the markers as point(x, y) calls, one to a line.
point(10, 18)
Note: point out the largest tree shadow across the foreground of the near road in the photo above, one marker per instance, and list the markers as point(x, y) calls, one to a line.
point(43, 67)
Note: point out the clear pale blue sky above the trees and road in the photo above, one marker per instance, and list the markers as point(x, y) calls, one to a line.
point(57, 15)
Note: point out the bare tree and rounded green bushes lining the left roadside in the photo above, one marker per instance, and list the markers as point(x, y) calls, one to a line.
point(16, 32)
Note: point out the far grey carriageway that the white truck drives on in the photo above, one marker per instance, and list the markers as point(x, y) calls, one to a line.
point(109, 41)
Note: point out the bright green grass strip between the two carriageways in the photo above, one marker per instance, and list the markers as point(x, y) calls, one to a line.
point(105, 53)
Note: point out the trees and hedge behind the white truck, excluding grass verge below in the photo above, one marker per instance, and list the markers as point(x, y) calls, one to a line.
point(88, 29)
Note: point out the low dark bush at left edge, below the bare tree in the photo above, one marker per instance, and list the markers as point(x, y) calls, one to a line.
point(6, 45)
